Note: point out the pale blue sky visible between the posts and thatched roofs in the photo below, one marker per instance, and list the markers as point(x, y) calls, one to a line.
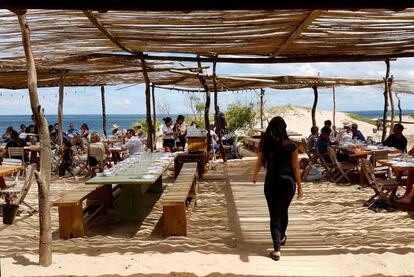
point(81, 100)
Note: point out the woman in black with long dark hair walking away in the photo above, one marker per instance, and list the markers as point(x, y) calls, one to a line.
point(280, 158)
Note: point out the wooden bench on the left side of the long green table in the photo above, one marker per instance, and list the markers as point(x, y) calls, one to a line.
point(78, 207)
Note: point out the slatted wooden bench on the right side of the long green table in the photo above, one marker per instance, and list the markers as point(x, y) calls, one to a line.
point(175, 201)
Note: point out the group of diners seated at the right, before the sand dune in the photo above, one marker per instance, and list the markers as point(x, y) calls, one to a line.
point(319, 143)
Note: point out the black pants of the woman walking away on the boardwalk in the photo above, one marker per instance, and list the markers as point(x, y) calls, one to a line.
point(279, 192)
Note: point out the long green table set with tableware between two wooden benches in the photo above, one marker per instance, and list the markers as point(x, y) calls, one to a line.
point(138, 174)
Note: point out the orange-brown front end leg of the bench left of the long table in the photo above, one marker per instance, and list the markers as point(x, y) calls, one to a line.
point(71, 221)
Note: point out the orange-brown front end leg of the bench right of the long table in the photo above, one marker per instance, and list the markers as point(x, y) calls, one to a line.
point(175, 222)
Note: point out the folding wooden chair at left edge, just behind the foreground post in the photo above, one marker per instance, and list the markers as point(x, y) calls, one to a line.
point(19, 191)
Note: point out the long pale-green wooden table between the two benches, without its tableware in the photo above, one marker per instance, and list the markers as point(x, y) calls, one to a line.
point(134, 182)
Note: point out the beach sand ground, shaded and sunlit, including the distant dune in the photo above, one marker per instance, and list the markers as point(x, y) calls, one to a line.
point(330, 233)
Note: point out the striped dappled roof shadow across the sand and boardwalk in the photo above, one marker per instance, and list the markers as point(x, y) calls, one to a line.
point(230, 218)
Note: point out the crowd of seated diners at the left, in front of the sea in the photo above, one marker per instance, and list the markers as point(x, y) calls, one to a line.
point(75, 142)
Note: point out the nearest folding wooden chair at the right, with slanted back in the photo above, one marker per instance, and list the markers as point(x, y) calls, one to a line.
point(384, 189)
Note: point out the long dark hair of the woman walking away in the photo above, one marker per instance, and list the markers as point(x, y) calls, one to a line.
point(274, 140)
